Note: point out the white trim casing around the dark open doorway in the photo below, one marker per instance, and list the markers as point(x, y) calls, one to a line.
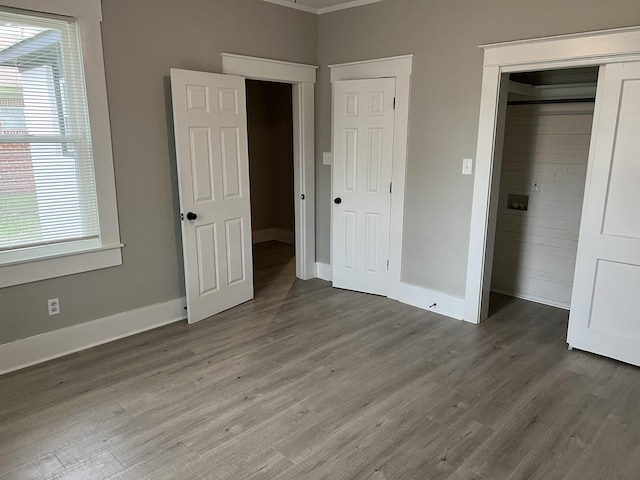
point(303, 78)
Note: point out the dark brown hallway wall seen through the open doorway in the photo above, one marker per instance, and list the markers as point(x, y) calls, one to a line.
point(270, 126)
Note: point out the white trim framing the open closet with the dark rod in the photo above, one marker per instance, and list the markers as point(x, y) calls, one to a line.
point(565, 51)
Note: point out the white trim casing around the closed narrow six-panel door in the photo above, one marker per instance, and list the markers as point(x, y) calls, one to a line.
point(399, 67)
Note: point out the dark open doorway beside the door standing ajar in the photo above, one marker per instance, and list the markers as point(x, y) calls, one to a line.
point(271, 171)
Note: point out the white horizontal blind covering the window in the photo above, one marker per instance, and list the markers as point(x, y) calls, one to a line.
point(47, 185)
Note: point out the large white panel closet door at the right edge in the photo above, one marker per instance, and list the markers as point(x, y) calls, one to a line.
point(605, 310)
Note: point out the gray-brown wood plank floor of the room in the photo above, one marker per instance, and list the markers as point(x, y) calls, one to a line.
point(309, 382)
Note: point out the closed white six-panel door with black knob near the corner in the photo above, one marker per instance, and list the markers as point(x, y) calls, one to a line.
point(363, 123)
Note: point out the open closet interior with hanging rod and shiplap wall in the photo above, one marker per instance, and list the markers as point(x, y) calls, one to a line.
point(543, 168)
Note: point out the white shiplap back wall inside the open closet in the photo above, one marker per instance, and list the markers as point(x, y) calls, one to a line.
point(535, 251)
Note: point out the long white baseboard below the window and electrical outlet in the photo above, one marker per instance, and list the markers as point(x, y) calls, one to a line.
point(47, 346)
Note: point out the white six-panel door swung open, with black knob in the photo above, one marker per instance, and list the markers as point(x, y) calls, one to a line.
point(210, 122)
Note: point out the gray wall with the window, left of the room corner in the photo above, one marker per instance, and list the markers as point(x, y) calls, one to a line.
point(143, 39)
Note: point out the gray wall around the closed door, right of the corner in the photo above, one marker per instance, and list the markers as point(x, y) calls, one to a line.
point(445, 101)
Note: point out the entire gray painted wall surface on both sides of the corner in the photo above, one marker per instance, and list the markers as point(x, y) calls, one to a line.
point(143, 39)
